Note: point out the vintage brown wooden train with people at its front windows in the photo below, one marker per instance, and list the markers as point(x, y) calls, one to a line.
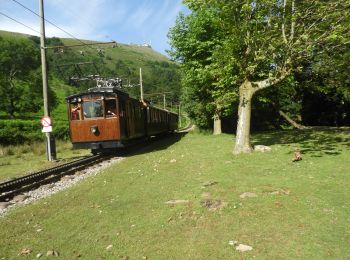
point(105, 118)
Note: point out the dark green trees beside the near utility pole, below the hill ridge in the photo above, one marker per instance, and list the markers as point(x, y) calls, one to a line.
point(20, 77)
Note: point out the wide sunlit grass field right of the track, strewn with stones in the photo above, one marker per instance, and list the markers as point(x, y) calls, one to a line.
point(301, 210)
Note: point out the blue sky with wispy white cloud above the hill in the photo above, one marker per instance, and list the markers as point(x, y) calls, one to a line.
point(123, 21)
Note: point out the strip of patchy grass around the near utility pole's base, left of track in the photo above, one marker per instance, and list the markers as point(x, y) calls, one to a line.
point(17, 160)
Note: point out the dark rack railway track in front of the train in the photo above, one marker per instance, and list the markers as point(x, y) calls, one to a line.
point(11, 188)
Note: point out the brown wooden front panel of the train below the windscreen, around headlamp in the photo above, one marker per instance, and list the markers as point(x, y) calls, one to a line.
point(81, 130)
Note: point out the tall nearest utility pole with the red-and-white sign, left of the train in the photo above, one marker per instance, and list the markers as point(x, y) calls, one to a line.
point(50, 141)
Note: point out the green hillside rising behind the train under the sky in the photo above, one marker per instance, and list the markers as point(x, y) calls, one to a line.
point(107, 60)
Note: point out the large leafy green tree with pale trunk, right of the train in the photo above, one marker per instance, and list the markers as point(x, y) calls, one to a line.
point(260, 44)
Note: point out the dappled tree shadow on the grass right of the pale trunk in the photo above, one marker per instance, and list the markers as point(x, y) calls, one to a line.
point(316, 141)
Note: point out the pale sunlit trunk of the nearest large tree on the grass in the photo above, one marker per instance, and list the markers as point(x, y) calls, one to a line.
point(242, 144)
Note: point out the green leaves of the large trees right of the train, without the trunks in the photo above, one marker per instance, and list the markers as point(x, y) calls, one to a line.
point(222, 43)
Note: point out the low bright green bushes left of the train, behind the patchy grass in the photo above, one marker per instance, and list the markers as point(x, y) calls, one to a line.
point(28, 131)
